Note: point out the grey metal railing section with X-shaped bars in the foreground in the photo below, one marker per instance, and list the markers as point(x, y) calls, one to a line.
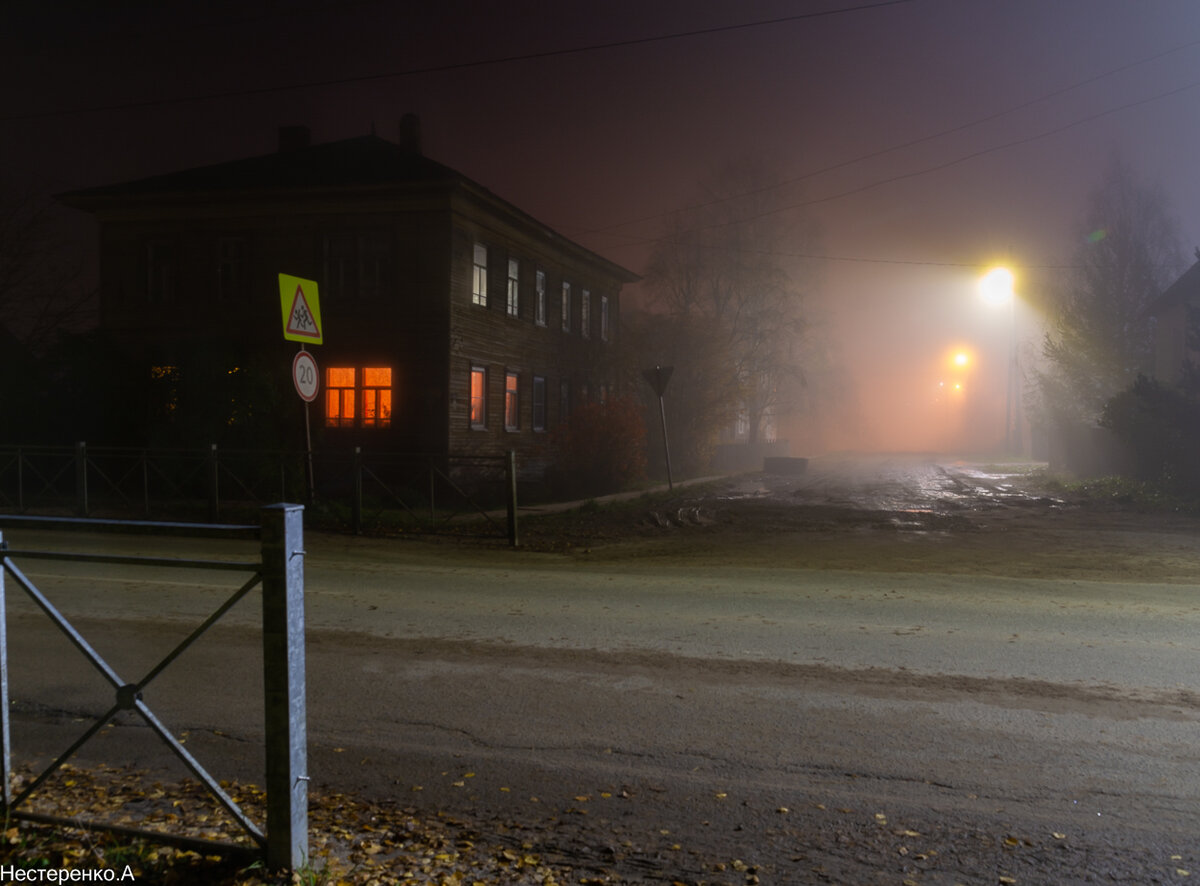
point(280, 572)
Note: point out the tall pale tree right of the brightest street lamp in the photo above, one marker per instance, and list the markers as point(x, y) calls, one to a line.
point(1101, 338)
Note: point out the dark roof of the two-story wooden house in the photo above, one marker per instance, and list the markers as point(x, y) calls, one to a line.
point(361, 164)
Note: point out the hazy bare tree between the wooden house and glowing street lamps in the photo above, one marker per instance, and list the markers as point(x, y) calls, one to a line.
point(727, 279)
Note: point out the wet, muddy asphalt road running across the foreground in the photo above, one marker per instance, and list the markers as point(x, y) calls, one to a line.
point(655, 717)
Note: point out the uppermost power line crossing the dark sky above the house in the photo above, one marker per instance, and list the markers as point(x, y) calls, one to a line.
point(459, 65)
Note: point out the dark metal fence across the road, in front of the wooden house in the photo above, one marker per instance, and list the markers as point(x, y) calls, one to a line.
point(351, 490)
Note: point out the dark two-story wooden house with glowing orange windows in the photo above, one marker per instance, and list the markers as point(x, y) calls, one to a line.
point(454, 322)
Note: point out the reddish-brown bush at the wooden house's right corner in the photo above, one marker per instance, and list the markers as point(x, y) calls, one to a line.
point(603, 450)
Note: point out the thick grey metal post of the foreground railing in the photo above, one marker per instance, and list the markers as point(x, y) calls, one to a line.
point(284, 687)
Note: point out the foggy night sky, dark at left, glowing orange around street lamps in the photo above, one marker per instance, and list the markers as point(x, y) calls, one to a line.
point(927, 139)
